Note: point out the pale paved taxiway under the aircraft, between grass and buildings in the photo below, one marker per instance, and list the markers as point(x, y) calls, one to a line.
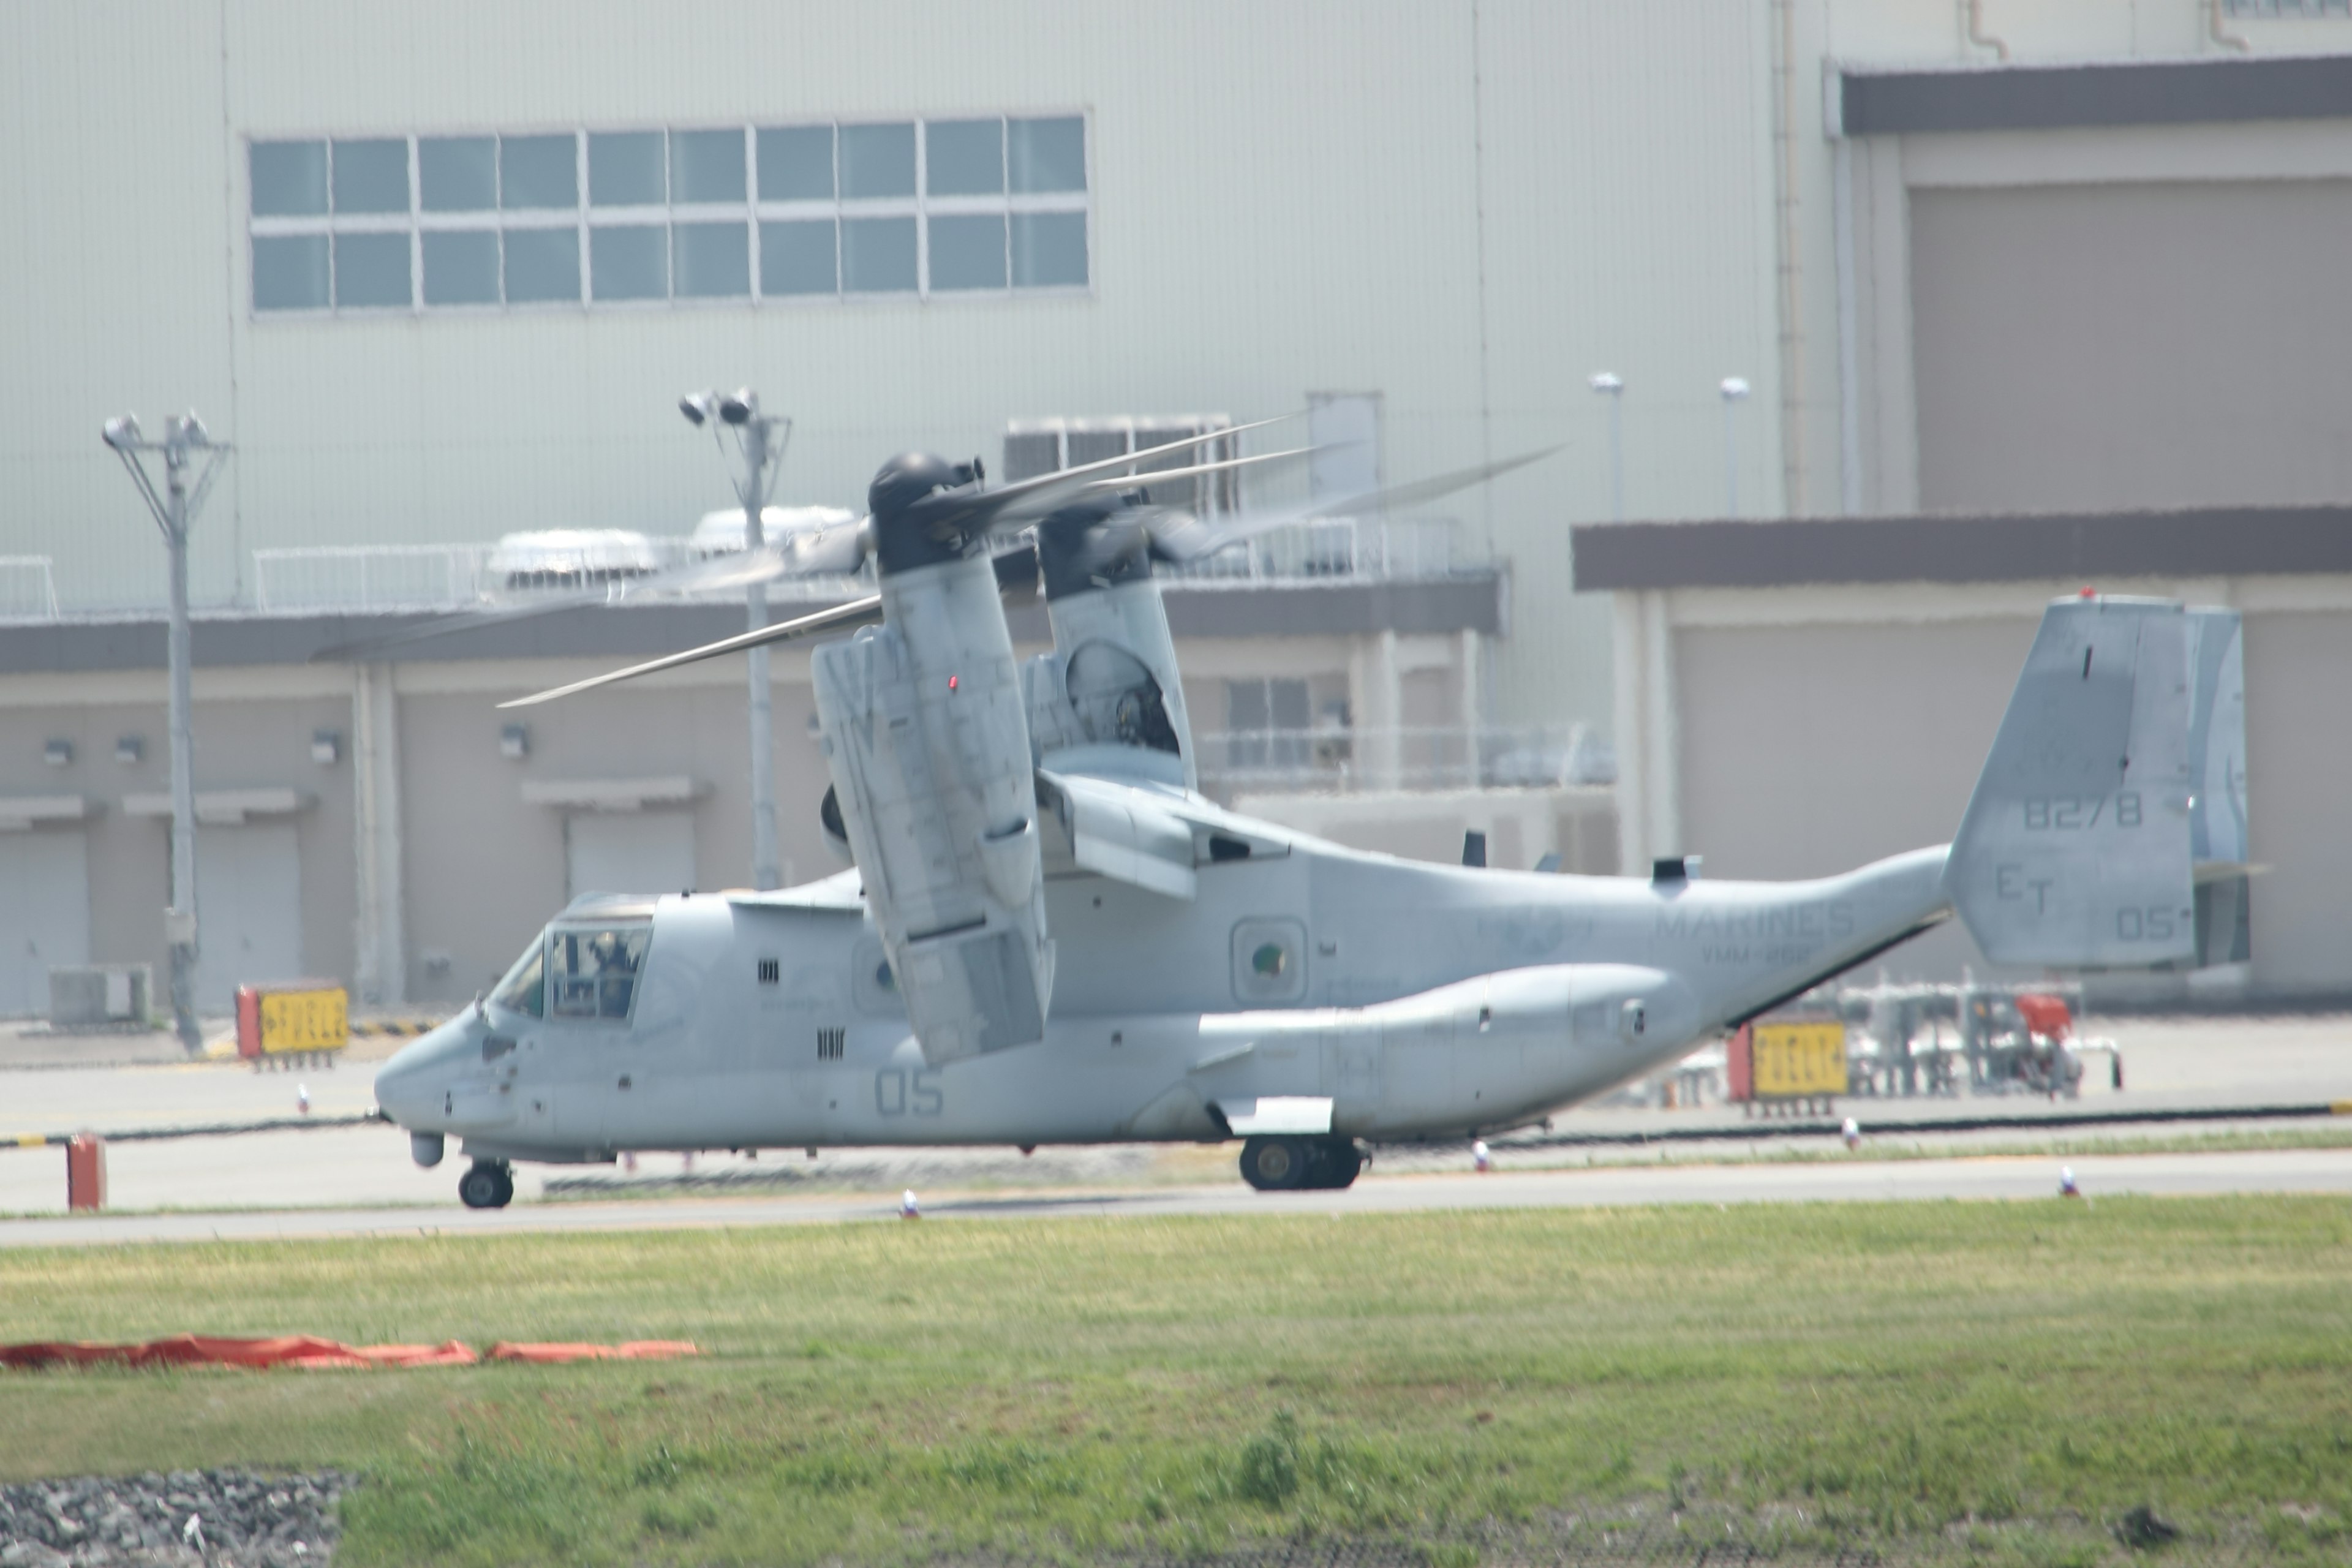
point(366, 1179)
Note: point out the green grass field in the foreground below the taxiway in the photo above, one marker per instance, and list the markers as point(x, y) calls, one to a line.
point(1970, 1381)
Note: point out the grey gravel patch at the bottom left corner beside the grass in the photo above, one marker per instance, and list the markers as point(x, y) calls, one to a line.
point(246, 1520)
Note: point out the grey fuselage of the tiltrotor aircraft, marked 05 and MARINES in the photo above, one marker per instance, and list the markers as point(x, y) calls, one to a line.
point(1422, 1000)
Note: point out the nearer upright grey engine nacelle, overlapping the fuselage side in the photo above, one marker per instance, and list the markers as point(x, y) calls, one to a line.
point(930, 758)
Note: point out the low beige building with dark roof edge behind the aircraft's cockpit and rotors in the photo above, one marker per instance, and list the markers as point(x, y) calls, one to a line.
point(382, 822)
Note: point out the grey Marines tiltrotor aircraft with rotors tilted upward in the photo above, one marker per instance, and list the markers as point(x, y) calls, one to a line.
point(1053, 937)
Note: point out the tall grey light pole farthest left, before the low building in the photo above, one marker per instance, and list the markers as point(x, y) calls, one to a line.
point(175, 509)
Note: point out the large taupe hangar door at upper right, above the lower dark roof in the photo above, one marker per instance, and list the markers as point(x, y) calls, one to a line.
point(2132, 344)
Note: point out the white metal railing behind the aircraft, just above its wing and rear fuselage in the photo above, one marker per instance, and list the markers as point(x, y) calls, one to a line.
point(1339, 760)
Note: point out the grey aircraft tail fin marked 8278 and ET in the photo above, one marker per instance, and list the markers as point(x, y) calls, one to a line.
point(2116, 779)
